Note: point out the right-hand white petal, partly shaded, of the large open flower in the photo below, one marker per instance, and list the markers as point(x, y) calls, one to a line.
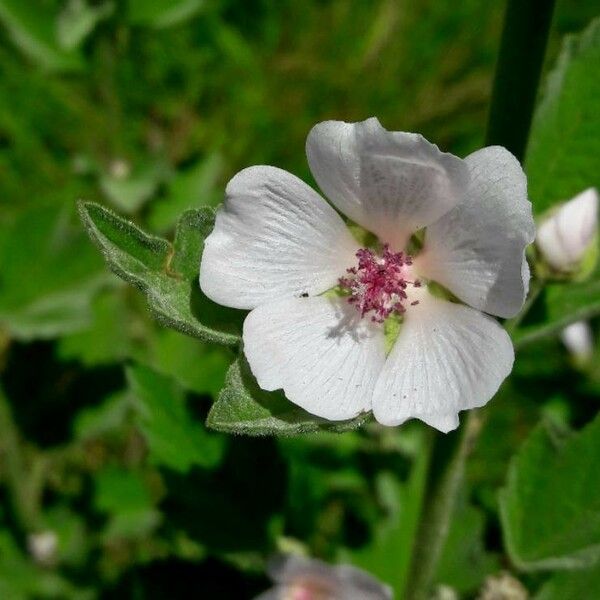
point(478, 250)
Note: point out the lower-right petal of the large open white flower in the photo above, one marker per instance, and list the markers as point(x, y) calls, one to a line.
point(448, 357)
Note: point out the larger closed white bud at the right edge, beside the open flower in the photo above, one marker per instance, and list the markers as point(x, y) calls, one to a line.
point(565, 236)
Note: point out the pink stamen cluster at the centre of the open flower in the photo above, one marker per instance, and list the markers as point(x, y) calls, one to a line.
point(379, 283)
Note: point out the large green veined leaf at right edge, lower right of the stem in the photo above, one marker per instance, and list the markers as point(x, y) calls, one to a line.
point(550, 507)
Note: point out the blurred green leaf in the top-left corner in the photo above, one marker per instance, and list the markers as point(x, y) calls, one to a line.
point(31, 26)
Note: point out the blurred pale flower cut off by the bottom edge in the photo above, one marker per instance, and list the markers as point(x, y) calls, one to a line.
point(298, 578)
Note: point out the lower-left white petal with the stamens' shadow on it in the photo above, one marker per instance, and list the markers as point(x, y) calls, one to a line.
point(318, 350)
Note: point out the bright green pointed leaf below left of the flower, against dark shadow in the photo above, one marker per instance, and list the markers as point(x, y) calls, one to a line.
point(175, 439)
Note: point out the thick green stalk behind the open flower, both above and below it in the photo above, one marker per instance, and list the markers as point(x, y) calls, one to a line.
point(524, 38)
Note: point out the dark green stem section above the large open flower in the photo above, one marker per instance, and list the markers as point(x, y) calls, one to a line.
point(524, 37)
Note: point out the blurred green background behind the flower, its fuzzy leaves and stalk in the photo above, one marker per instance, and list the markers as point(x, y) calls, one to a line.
point(149, 107)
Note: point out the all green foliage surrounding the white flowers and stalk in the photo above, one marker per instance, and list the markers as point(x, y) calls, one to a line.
point(116, 420)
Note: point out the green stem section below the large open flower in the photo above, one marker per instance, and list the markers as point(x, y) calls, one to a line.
point(445, 477)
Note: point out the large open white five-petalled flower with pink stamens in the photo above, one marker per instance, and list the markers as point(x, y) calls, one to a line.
point(277, 246)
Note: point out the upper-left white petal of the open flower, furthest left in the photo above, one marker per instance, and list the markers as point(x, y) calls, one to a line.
point(274, 237)
